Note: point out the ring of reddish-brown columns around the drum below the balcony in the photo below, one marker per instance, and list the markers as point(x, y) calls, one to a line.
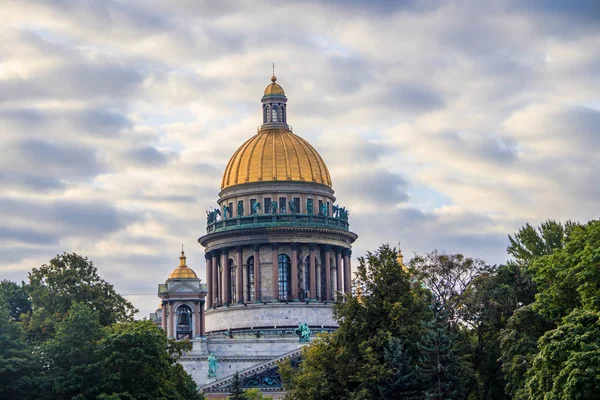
point(218, 273)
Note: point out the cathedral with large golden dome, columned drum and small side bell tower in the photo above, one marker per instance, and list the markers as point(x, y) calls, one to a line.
point(278, 249)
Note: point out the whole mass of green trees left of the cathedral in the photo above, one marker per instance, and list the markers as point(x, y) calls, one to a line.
point(83, 342)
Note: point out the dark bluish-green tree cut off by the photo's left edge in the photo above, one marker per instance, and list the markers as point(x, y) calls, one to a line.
point(16, 367)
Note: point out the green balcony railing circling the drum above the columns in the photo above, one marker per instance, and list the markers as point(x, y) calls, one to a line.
point(266, 220)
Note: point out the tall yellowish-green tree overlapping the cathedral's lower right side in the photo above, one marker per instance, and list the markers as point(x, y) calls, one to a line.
point(350, 363)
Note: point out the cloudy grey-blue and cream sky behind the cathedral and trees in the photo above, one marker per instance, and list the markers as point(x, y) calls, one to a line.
point(444, 125)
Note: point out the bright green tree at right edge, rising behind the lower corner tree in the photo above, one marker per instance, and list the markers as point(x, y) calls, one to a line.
point(563, 262)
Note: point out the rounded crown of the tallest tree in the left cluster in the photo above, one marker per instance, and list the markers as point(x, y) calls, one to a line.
point(67, 279)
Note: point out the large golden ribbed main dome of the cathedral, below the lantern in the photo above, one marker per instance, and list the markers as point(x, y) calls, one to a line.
point(275, 155)
